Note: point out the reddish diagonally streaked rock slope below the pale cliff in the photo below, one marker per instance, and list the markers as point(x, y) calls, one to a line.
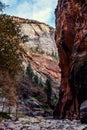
point(44, 66)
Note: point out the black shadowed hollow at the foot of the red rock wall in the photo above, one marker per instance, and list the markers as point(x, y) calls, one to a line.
point(81, 80)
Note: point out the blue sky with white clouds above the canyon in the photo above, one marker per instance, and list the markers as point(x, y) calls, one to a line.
point(41, 10)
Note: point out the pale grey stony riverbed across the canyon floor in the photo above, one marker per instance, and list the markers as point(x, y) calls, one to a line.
point(40, 123)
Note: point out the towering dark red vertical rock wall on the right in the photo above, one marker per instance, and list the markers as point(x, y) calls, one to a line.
point(71, 40)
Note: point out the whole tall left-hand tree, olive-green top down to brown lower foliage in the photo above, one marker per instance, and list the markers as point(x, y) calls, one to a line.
point(10, 59)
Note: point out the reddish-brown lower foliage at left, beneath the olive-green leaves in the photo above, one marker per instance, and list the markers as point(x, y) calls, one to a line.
point(8, 90)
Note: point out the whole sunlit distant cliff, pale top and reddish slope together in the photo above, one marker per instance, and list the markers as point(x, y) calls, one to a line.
point(39, 47)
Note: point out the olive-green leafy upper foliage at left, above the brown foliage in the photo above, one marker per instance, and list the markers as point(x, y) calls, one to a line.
point(10, 50)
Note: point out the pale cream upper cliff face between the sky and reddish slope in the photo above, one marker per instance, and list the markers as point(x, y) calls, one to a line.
point(38, 34)
